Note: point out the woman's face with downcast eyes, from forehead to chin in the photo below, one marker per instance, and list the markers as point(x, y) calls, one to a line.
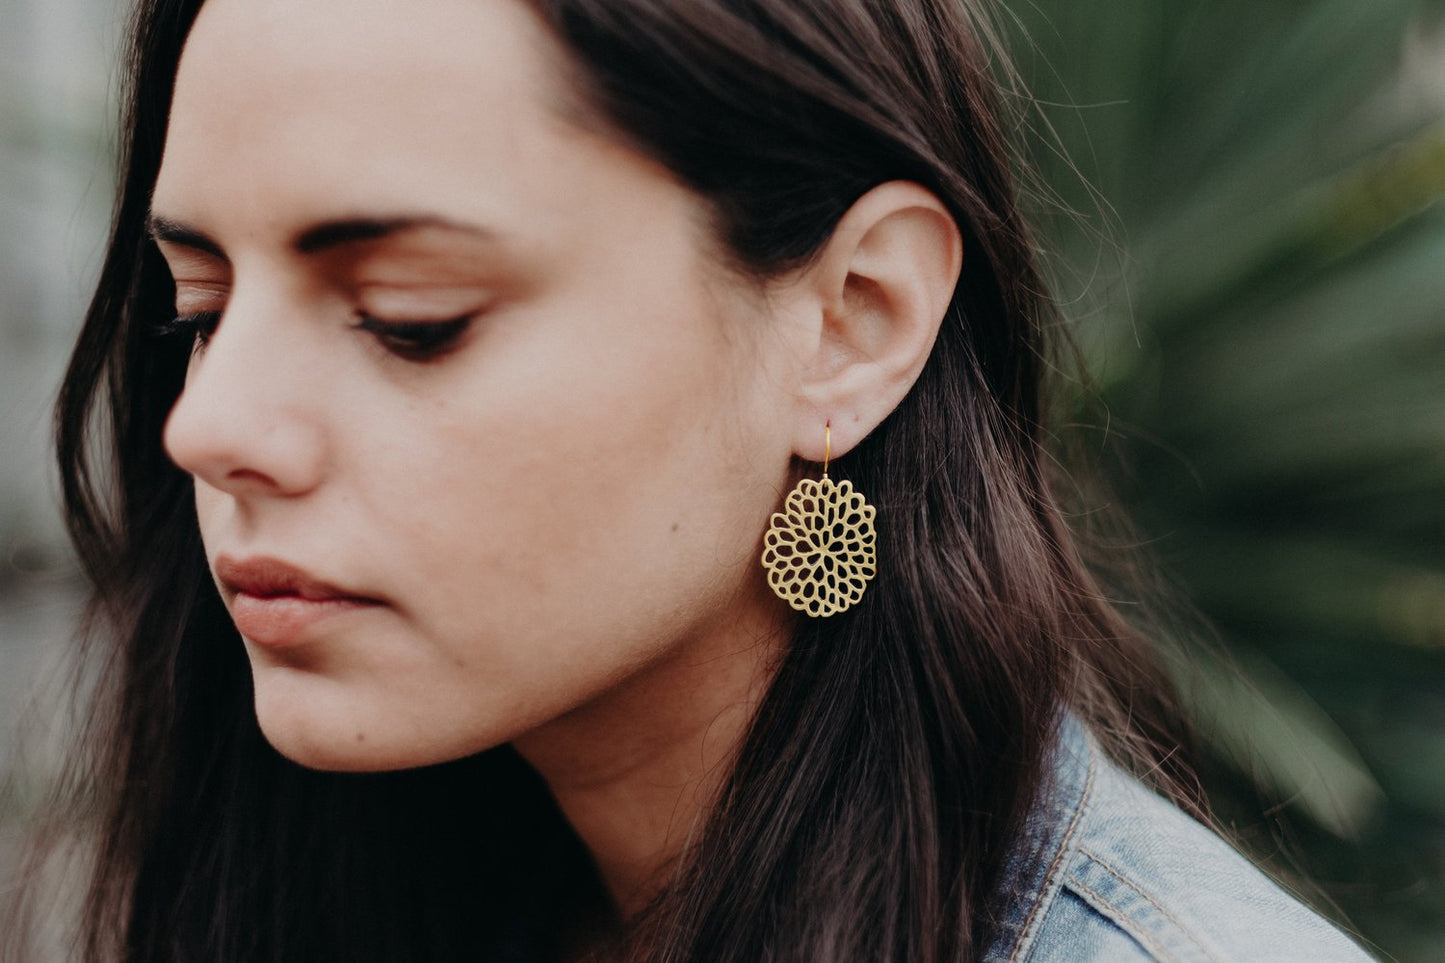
point(483, 430)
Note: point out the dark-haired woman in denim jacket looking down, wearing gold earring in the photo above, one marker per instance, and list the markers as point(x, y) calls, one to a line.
point(454, 361)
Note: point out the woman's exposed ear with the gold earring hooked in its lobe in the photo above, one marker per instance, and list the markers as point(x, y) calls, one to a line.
point(876, 297)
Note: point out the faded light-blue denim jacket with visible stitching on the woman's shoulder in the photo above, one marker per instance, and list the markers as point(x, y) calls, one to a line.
point(1115, 874)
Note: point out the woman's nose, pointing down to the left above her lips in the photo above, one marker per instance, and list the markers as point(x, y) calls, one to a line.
point(248, 420)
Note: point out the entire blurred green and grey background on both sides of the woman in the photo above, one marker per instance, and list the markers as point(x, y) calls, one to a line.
point(1243, 207)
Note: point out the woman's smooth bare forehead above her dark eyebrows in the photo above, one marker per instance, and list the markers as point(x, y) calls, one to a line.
point(311, 106)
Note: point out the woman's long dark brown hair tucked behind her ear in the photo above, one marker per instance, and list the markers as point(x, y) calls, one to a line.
point(901, 747)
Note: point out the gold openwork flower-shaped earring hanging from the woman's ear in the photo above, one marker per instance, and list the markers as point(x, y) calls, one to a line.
point(820, 550)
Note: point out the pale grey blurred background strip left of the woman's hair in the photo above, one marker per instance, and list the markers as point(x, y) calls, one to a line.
point(57, 69)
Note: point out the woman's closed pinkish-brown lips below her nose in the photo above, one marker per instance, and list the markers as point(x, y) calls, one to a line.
point(278, 605)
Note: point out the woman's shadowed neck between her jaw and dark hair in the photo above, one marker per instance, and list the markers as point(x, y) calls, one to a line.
point(637, 771)
